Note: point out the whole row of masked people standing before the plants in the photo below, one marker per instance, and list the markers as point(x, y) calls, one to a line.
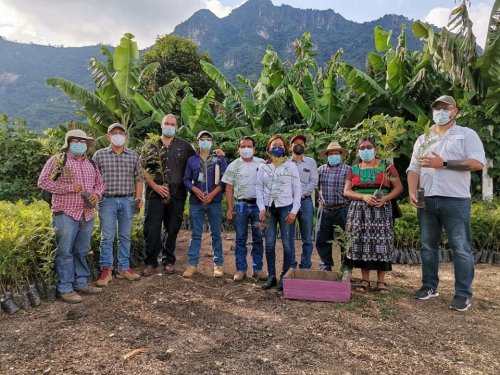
point(279, 190)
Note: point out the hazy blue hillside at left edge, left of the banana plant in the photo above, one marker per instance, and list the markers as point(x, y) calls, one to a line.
point(23, 70)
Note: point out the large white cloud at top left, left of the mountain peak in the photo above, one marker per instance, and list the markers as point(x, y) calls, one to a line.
point(85, 22)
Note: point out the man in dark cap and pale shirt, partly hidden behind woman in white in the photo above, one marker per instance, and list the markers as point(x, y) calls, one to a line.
point(308, 172)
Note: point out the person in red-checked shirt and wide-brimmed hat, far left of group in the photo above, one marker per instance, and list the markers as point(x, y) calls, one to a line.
point(76, 186)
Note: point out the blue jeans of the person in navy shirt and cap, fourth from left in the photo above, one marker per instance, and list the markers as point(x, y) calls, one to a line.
point(197, 218)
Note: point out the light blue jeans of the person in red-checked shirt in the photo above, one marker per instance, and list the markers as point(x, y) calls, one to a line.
point(73, 244)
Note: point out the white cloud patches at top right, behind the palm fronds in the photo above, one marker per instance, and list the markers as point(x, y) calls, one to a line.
point(478, 12)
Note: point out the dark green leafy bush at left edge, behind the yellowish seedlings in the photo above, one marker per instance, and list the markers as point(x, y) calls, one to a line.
point(21, 160)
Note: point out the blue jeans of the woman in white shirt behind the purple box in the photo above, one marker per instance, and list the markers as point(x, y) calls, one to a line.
point(278, 215)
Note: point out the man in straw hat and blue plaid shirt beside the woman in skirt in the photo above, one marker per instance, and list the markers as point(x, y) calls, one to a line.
point(333, 206)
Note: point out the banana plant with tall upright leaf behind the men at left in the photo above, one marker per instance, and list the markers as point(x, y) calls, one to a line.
point(116, 97)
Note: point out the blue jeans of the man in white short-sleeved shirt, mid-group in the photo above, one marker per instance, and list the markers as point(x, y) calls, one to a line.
point(244, 214)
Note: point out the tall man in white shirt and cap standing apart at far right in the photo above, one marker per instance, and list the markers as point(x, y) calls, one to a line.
point(442, 169)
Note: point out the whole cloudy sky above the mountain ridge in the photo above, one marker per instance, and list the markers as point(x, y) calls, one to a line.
point(86, 22)
